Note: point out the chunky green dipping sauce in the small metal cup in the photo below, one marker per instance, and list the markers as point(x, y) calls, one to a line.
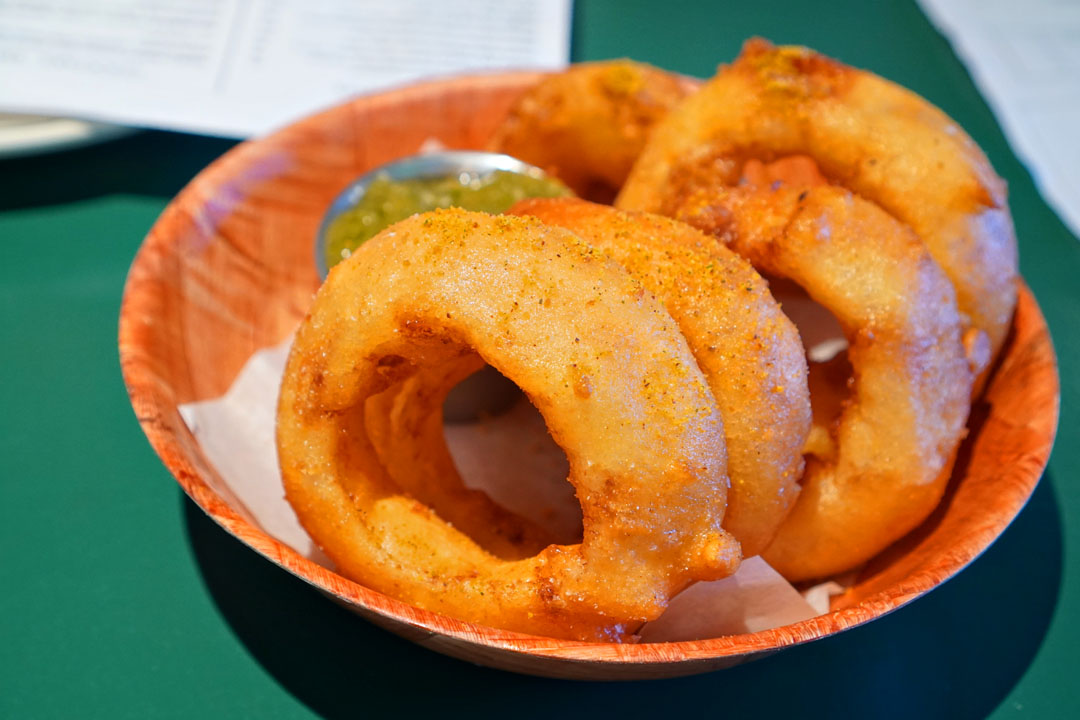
point(387, 201)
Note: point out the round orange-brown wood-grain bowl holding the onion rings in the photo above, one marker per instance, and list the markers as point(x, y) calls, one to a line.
point(228, 270)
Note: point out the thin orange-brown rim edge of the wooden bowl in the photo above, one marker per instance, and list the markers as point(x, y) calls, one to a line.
point(153, 406)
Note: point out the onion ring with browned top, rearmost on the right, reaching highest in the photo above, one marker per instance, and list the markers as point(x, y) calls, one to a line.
point(867, 134)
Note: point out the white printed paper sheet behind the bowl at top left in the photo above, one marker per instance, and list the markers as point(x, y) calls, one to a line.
point(244, 67)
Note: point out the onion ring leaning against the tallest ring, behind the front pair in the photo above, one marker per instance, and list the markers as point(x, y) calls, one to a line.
point(896, 439)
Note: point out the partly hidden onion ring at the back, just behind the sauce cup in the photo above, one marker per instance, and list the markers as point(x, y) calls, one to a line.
point(588, 125)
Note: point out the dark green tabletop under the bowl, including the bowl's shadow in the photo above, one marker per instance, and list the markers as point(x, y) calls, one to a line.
point(119, 599)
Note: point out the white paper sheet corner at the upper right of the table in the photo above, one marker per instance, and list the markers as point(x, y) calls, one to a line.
point(1025, 60)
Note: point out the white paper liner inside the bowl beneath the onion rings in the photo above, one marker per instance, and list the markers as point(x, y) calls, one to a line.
point(515, 461)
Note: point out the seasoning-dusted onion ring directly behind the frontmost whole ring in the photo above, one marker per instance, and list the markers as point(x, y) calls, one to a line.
point(748, 349)
